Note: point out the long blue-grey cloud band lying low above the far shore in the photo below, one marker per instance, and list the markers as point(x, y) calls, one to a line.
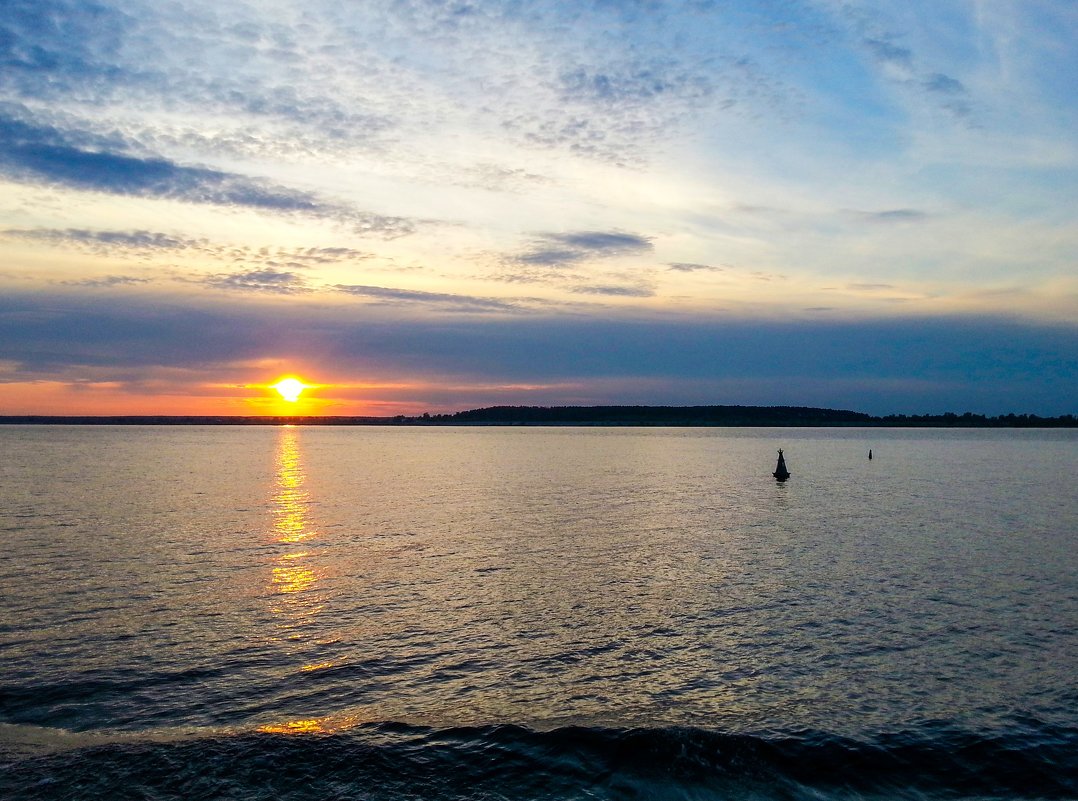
point(987, 365)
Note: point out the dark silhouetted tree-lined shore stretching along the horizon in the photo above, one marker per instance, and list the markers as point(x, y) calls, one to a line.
point(595, 417)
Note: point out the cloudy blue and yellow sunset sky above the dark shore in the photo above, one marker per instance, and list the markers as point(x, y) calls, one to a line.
point(436, 205)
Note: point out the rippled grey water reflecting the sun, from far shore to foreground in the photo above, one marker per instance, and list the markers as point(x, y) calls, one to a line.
point(537, 613)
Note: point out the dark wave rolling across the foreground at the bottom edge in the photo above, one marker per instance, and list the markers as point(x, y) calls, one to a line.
point(400, 762)
